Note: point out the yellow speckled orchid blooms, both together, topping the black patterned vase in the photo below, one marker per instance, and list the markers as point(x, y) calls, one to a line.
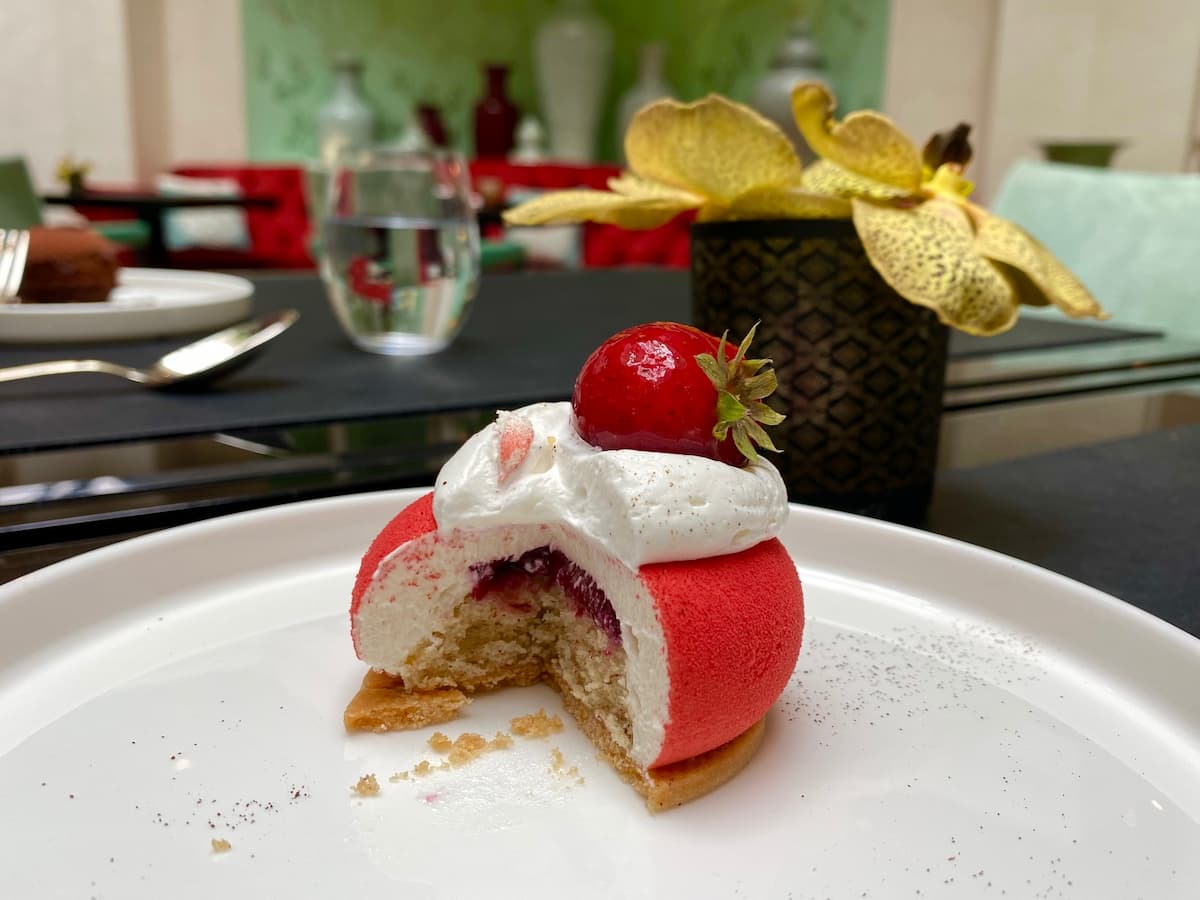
point(910, 208)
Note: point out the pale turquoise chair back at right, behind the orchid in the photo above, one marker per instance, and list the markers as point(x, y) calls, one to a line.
point(1132, 237)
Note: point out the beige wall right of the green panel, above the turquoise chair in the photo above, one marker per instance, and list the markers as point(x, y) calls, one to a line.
point(1030, 70)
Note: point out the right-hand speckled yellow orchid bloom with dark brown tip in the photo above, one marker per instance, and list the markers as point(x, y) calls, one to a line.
point(922, 235)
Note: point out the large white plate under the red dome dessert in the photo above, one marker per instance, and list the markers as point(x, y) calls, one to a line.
point(961, 725)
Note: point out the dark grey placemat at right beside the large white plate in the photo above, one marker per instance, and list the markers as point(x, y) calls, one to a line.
point(1121, 517)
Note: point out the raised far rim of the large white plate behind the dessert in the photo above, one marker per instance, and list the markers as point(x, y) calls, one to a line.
point(1163, 686)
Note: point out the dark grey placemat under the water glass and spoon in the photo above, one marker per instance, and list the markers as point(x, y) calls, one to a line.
point(526, 339)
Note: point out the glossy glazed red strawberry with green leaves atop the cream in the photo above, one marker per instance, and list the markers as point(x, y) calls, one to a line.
point(675, 389)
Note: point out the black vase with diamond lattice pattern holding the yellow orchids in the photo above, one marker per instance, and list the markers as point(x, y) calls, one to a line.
point(861, 370)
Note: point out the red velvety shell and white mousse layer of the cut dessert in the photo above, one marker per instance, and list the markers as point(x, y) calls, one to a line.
point(724, 637)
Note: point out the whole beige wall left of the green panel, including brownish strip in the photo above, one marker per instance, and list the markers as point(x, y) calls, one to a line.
point(133, 86)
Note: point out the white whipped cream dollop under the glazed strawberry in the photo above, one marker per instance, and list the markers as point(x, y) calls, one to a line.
point(641, 507)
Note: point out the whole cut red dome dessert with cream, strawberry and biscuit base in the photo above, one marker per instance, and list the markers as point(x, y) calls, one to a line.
point(620, 548)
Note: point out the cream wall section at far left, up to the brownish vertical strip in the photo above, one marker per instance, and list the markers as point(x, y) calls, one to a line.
point(67, 87)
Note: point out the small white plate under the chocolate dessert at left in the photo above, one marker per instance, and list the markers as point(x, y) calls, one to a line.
point(147, 303)
